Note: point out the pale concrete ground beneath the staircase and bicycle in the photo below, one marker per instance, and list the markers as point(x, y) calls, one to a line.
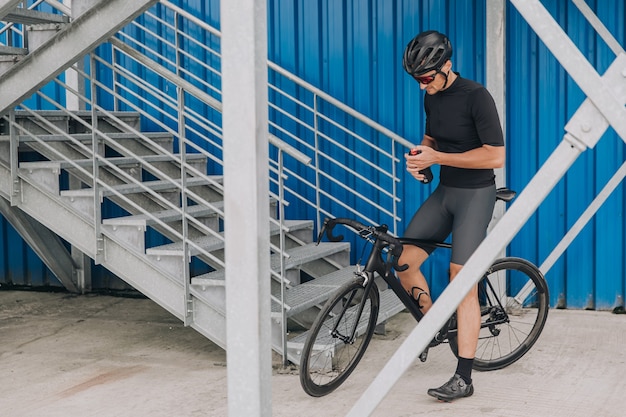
point(94, 355)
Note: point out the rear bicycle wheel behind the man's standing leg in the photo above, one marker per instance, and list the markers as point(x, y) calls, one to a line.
point(502, 344)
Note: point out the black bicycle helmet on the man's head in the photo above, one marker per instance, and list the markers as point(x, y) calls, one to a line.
point(426, 52)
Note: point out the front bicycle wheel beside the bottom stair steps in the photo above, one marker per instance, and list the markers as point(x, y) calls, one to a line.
point(330, 353)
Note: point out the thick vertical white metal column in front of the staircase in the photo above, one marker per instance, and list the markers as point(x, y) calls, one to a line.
point(246, 204)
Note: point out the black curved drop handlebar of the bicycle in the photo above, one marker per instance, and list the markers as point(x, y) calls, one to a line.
point(378, 232)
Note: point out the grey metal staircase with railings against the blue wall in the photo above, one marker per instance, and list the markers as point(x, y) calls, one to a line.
point(145, 203)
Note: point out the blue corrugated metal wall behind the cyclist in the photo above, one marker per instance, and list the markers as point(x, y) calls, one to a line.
point(352, 50)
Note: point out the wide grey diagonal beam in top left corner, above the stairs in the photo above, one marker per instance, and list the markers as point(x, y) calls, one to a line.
point(85, 33)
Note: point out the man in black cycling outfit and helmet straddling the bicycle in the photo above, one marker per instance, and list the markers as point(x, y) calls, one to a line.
point(463, 135)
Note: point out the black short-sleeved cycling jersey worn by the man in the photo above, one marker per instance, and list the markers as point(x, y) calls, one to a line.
point(460, 118)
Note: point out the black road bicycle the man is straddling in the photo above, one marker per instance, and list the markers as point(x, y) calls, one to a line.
point(513, 297)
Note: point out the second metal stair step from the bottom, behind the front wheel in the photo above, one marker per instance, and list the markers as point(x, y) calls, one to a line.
point(317, 291)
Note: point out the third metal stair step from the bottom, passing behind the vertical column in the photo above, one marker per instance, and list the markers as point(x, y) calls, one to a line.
point(297, 256)
